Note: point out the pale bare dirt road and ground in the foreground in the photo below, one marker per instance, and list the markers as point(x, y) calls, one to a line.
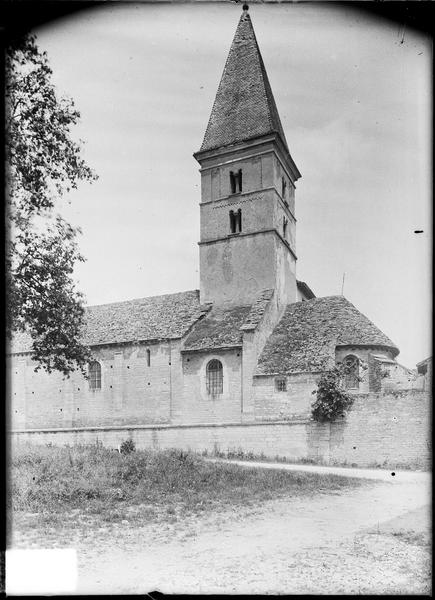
point(368, 540)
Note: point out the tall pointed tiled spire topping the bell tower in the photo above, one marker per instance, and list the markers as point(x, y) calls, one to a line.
point(244, 106)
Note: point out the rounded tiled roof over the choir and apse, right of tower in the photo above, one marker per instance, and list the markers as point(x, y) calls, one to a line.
point(308, 333)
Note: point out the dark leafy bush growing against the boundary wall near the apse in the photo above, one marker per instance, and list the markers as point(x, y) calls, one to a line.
point(332, 400)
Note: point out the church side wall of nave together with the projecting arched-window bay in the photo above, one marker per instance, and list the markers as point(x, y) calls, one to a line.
point(172, 389)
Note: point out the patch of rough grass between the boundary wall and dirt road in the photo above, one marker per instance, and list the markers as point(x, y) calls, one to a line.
point(52, 483)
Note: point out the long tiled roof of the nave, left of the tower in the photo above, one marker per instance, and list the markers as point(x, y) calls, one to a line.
point(158, 317)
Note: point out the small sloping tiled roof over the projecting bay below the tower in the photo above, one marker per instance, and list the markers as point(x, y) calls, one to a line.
point(219, 329)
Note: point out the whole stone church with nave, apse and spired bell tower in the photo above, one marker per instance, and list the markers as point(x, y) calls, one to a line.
point(250, 344)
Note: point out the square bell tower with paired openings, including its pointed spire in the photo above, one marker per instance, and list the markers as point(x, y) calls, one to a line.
point(248, 177)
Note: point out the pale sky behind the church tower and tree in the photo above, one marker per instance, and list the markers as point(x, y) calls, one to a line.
point(354, 97)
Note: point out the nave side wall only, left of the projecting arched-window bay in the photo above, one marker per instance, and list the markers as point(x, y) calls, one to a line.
point(131, 391)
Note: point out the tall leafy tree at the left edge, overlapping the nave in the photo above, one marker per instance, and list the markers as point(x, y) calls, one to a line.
point(43, 163)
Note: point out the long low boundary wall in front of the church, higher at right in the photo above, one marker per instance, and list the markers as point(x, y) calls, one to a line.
point(390, 430)
